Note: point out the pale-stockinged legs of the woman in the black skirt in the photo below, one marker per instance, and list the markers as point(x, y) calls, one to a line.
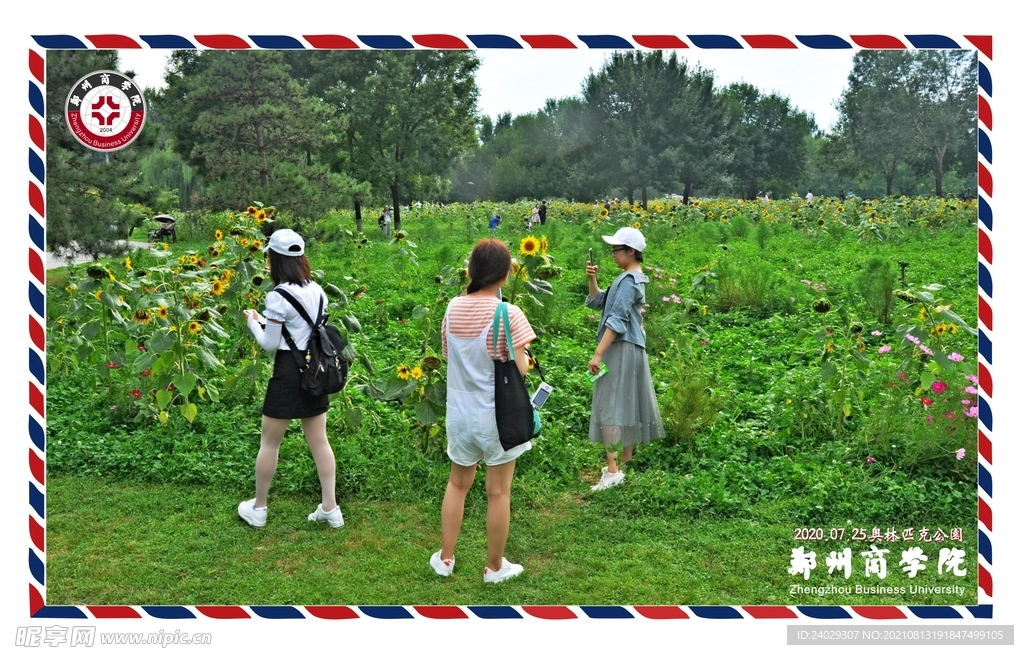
point(315, 428)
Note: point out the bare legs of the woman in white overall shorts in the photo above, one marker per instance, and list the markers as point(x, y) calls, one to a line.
point(499, 487)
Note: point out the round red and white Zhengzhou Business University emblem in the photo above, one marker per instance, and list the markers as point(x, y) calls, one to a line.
point(106, 111)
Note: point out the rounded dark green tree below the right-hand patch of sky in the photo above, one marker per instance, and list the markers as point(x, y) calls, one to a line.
point(767, 139)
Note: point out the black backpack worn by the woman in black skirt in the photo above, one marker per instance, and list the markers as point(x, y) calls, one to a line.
point(324, 369)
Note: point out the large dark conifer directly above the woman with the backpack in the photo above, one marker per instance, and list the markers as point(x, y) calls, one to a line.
point(252, 132)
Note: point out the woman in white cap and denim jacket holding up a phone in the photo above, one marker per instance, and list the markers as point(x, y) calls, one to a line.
point(625, 411)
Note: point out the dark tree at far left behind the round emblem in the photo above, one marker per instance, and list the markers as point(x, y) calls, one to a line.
point(95, 200)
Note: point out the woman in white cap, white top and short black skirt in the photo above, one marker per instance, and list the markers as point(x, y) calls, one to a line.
point(285, 399)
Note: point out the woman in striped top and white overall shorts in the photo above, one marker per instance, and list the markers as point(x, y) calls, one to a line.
point(473, 431)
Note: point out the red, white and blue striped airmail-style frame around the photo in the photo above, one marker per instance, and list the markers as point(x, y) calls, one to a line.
point(37, 319)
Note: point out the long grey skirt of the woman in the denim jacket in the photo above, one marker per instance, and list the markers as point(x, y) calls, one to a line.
point(625, 409)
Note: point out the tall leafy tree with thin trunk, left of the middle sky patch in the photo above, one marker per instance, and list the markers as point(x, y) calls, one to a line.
point(409, 115)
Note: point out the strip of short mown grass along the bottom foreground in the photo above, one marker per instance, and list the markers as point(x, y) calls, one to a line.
point(117, 543)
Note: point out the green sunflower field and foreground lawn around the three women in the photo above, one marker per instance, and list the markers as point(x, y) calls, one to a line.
point(806, 379)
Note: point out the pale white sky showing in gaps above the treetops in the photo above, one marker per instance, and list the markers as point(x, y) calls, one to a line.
point(523, 82)
